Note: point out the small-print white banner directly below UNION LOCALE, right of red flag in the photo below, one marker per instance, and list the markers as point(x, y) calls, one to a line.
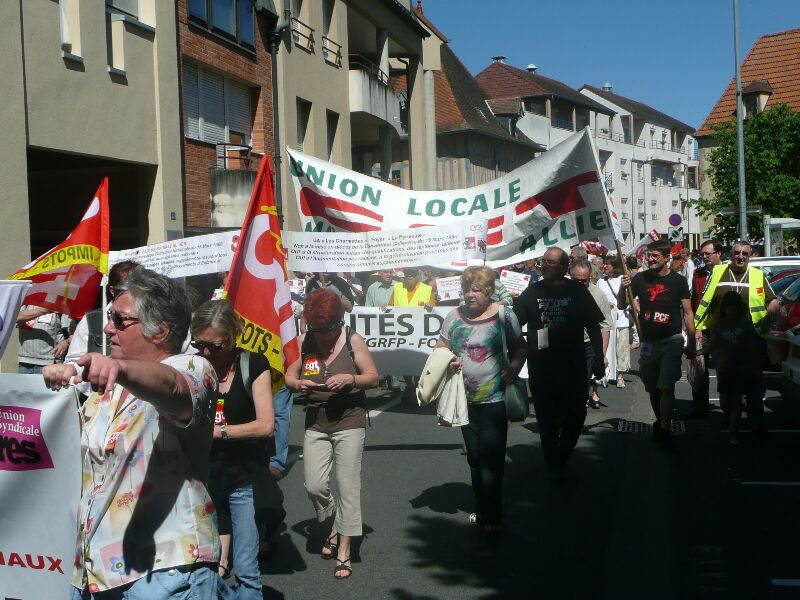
point(370, 251)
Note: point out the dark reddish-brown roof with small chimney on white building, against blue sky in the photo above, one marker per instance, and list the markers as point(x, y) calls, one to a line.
point(501, 80)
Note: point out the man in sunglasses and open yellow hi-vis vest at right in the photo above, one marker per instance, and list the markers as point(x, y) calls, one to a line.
point(750, 283)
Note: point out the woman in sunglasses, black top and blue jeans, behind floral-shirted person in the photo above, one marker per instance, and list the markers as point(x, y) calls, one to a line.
point(244, 418)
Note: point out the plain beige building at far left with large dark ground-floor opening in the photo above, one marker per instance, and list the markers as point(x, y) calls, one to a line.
point(88, 91)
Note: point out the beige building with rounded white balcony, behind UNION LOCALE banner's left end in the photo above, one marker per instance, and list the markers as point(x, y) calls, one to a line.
point(336, 101)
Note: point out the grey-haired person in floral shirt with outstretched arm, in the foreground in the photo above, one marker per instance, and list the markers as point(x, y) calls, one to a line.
point(146, 438)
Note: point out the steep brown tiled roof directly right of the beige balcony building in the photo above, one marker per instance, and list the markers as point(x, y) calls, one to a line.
point(461, 103)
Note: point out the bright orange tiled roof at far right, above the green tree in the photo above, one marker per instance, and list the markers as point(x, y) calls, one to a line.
point(774, 58)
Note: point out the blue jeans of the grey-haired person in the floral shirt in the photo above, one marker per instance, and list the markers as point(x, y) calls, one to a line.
point(199, 584)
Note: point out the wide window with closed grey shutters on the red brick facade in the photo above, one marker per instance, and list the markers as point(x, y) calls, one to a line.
point(215, 109)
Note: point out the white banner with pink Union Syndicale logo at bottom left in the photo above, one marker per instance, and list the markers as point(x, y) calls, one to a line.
point(40, 482)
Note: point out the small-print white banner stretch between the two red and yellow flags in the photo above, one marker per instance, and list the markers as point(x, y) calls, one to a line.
point(199, 255)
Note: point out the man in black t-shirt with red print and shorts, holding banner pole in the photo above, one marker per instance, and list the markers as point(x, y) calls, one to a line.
point(663, 299)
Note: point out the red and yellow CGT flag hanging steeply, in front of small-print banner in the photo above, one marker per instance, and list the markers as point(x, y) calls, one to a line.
point(258, 274)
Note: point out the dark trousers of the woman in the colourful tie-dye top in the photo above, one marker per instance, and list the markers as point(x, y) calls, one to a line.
point(485, 439)
